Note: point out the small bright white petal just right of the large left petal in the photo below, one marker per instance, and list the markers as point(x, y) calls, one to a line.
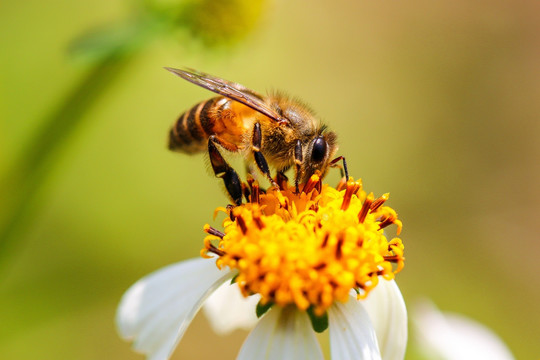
point(227, 309)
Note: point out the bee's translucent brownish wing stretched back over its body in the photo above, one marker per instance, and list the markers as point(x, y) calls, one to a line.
point(230, 90)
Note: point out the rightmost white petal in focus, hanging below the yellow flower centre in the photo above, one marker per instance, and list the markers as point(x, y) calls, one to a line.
point(388, 314)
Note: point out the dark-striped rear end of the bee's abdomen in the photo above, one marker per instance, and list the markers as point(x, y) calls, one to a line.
point(191, 131)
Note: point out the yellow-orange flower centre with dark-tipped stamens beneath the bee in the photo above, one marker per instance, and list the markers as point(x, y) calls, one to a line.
point(309, 248)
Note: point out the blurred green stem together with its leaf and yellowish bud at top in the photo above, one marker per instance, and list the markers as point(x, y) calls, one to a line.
point(211, 22)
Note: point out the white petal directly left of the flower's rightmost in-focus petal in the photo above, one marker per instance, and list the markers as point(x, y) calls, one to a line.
point(352, 335)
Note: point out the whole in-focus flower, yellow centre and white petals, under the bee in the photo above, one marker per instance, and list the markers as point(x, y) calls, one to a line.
point(303, 263)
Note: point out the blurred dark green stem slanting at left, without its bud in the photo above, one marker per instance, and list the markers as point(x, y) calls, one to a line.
point(37, 160)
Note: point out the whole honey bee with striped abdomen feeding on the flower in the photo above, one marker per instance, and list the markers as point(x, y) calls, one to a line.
point(273, 130)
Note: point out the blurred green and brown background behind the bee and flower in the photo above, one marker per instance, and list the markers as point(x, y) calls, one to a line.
point(436, 103)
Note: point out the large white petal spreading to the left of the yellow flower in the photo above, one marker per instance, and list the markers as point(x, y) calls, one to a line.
point(158, 308)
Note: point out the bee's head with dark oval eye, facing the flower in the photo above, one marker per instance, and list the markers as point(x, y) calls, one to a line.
point(319, 152)
